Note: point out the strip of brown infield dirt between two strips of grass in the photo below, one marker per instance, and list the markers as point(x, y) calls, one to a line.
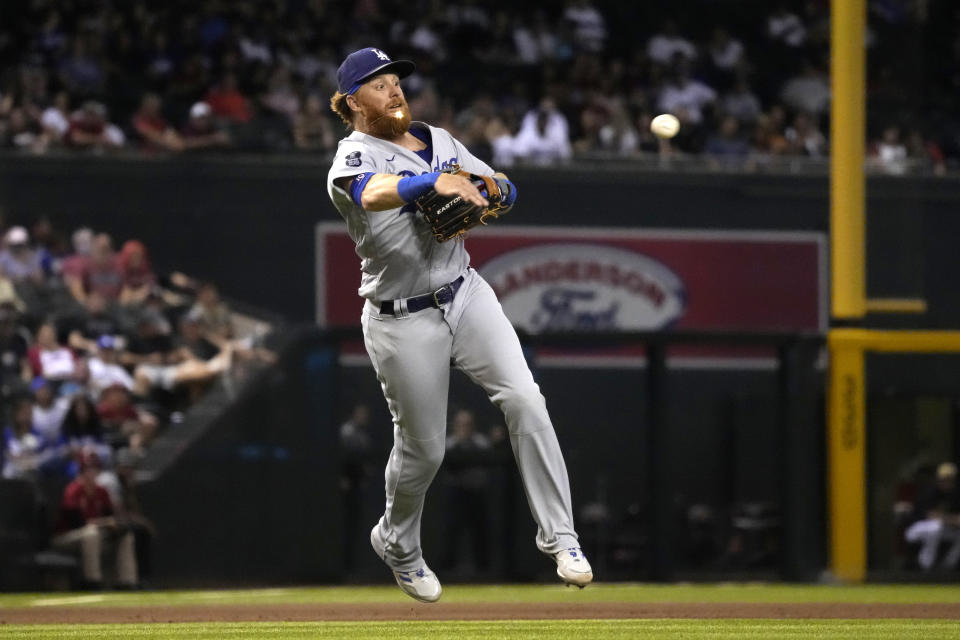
point(454, 611)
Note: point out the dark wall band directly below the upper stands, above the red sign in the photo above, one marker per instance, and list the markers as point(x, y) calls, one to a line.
point(248, 223)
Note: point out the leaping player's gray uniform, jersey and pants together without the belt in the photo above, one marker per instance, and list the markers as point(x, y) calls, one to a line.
point(412, 352)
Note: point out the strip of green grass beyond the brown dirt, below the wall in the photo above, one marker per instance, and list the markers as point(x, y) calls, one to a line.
point(610, 592)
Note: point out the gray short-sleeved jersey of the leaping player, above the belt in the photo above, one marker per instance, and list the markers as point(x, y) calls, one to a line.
point(400, 256)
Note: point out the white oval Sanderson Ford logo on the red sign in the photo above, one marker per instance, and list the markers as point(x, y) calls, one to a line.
point(585, 287)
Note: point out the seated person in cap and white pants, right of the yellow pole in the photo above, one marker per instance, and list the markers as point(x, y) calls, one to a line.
point(937, 520)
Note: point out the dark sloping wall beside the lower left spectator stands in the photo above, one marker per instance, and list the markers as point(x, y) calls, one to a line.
point(253, 500)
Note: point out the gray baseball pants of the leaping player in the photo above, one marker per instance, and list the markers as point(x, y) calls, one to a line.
point(411, 354)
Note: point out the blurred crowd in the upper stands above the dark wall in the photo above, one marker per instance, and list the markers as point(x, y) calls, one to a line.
point(519, 83)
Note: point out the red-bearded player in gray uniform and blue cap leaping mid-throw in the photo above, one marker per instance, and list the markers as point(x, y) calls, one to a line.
point(426, 309)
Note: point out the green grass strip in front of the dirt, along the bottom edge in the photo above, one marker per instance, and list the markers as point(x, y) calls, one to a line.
point(526, 629)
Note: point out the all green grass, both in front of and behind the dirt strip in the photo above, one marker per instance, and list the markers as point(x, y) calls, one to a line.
point(882, 629)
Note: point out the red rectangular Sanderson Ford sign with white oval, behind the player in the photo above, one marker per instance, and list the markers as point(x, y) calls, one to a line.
point(551, 278)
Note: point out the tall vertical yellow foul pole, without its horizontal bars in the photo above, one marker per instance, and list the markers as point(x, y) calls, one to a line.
point(846, 424)
